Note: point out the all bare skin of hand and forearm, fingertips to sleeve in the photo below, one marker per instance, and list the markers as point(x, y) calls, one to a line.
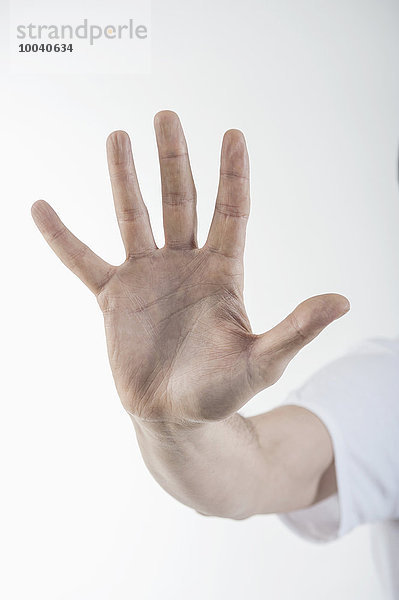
point(181, 348)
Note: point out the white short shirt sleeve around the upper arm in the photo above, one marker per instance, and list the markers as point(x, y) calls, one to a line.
point(357, 399)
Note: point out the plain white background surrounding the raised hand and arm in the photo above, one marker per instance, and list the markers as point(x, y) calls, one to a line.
point(314, 85)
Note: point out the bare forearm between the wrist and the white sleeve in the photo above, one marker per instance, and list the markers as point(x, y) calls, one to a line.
point(239, 467)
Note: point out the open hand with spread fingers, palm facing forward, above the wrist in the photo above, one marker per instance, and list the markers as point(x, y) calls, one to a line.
point(179, 340)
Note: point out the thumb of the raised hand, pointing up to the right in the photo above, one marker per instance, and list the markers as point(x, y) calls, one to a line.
point(273, 350)
